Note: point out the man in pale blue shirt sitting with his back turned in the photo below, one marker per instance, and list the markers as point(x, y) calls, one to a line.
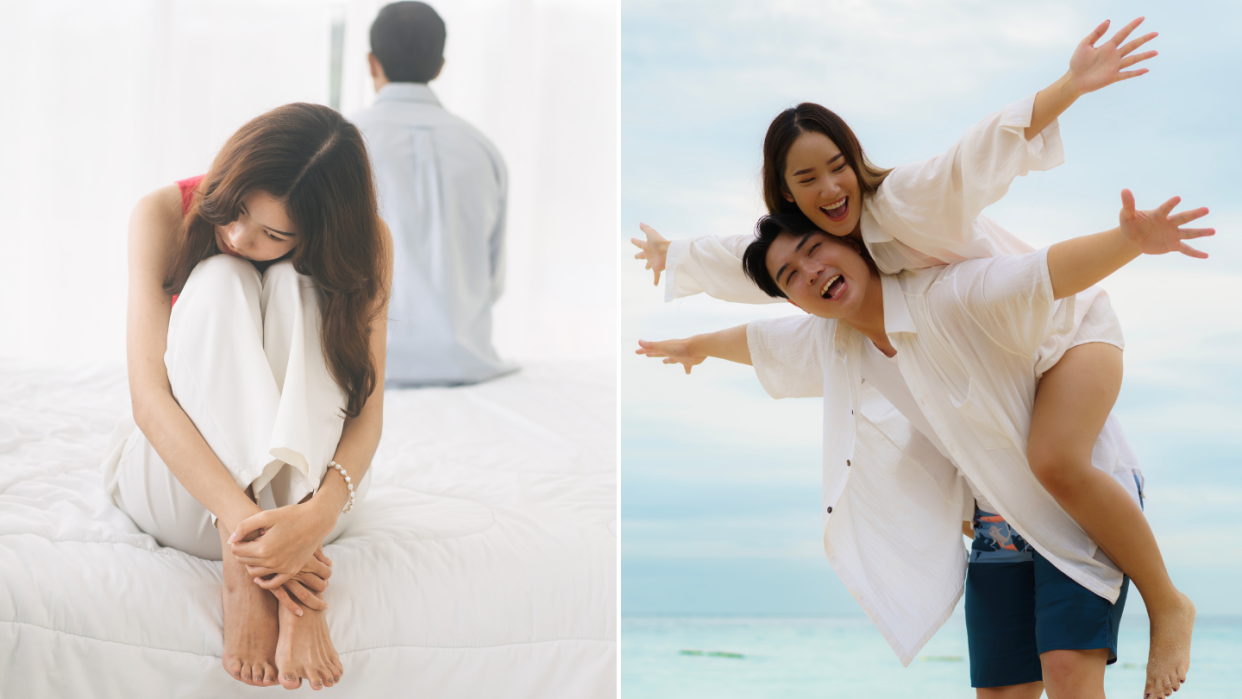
point(443, 191)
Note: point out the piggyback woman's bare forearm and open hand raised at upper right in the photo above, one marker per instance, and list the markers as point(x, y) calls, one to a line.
point(1091, 69)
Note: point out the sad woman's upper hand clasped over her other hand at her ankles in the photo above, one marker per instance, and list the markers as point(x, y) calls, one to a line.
point(280, 542)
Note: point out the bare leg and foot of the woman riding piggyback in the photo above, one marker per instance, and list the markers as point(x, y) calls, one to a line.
point(1071, 407)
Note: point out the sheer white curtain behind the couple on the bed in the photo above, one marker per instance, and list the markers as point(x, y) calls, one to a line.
point(102, 102)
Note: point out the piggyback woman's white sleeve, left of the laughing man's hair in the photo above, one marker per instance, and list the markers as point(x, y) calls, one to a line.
point(711, 266)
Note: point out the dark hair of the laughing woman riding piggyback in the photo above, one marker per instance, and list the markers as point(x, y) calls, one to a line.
point(796, 122)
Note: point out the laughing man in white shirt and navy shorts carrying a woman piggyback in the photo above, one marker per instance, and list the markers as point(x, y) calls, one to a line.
point(953, 351)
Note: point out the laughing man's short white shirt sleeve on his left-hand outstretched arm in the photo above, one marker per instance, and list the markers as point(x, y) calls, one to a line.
point(787, 356)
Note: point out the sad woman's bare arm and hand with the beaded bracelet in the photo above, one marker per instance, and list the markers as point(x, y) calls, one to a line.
point(294, 533)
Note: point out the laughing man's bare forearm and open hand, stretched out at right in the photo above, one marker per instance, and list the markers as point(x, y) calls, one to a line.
point(1081, 263)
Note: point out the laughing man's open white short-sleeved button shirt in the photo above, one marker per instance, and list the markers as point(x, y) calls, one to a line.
point(966, 337)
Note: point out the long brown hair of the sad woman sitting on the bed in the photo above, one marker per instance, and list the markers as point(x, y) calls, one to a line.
point(315, 162)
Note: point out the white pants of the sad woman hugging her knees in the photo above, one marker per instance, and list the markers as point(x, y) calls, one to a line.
point(247, 364)
